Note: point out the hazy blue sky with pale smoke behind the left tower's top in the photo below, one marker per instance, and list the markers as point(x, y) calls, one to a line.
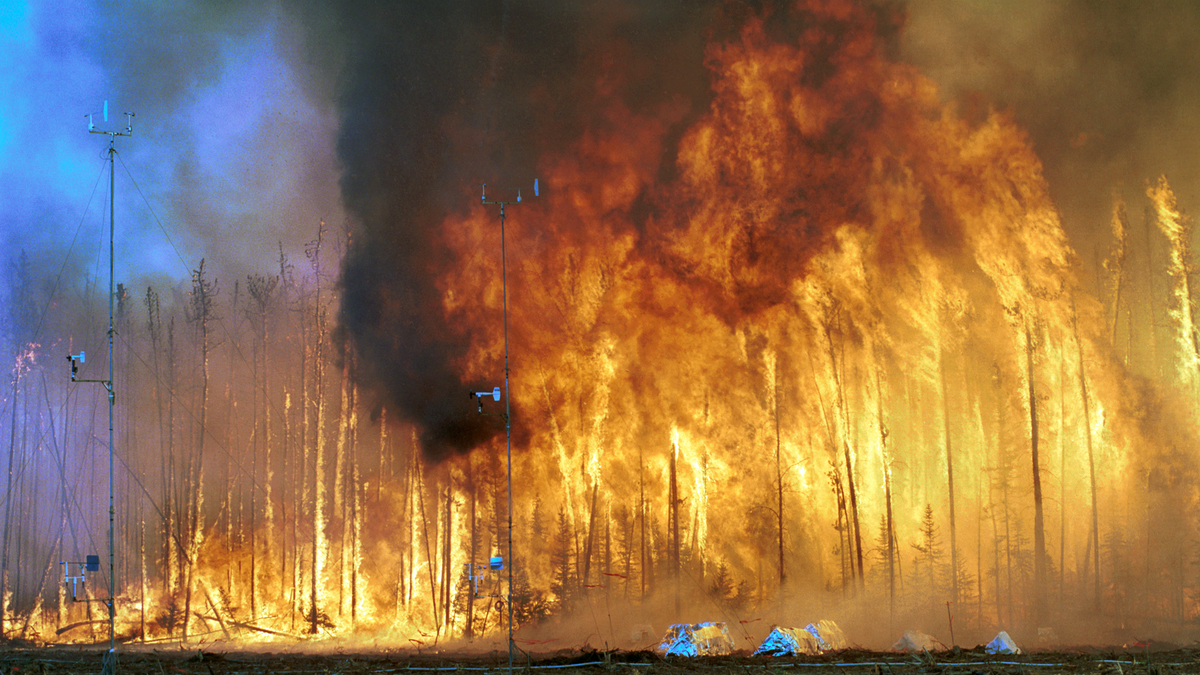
point(233, 148)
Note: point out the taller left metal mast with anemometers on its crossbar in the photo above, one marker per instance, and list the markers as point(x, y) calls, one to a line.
point(110, 666)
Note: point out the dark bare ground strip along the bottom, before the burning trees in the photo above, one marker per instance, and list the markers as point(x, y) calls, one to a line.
point(173, 661)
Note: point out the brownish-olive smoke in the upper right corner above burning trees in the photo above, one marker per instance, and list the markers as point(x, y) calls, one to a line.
point(1107, 91)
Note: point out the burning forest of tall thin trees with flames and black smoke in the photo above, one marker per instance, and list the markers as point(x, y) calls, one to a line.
point(793, 336)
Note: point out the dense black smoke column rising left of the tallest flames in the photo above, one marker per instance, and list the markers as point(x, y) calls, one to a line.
point(440, 99)
